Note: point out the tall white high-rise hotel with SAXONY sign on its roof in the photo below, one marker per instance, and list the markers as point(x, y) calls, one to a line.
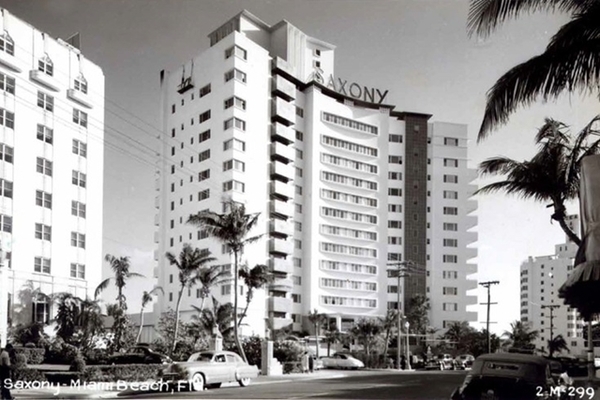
point(343, 182)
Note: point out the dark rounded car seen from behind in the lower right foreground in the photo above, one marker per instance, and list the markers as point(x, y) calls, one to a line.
point(503, 376)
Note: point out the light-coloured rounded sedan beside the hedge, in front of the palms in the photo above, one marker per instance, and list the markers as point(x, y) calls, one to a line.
point(210, 369)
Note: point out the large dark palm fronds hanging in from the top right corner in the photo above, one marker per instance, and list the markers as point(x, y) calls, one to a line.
point(570, 62)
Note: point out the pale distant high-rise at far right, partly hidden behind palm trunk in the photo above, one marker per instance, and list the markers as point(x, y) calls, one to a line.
point(541, 277)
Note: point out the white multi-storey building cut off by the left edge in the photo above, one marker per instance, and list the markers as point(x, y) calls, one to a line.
point(51, 172)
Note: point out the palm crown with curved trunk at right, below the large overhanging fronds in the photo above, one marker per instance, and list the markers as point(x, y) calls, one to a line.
point(552, 175)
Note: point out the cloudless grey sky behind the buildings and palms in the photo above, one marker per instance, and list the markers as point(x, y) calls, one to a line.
point(417, 49)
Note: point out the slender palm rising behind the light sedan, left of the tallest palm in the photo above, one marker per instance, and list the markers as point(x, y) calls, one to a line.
point(189, 264)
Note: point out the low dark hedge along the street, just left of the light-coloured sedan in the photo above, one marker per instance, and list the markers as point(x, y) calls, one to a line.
point(124, 372)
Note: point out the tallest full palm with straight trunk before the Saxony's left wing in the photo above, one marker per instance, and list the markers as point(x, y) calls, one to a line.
point(231, 229)
